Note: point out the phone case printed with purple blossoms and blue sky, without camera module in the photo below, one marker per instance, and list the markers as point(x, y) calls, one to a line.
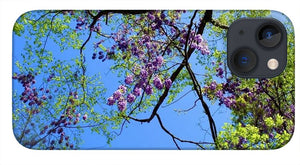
point(143, 79)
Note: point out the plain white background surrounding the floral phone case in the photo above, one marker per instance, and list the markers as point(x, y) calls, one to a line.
point(13, 153)
